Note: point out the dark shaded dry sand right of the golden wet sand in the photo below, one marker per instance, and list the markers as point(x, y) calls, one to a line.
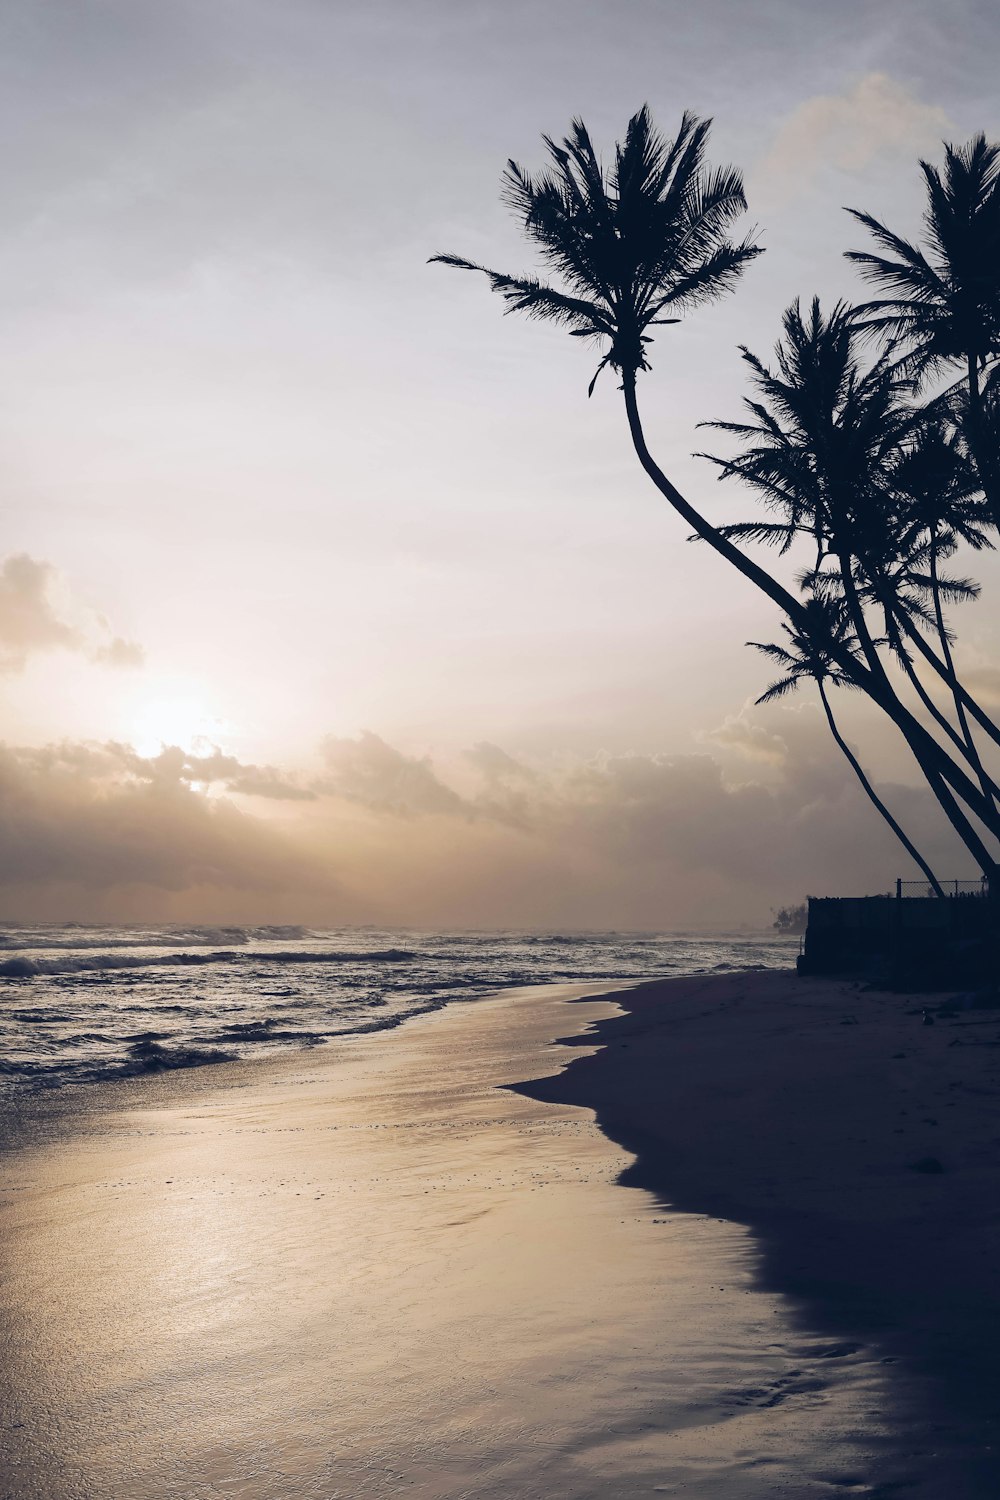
point(860, 1148)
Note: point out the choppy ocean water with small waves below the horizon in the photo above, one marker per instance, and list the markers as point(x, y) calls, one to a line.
point(82, 1004)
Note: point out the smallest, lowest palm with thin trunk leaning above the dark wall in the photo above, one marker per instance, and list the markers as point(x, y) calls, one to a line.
point(809, 658)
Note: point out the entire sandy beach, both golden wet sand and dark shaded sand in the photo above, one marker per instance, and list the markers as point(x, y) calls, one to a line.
point(407, 1264)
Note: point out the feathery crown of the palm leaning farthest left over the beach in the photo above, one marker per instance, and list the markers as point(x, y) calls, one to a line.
point(633, 245)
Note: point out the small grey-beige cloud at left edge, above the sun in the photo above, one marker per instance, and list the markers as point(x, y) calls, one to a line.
point(34, 620)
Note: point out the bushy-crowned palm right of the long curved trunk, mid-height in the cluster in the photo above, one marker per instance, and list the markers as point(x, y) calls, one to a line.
point(821, 449)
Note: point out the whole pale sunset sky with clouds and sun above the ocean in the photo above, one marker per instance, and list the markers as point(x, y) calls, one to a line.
point(326, 595)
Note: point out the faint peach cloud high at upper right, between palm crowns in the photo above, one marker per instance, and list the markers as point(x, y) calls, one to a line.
point(849, 131)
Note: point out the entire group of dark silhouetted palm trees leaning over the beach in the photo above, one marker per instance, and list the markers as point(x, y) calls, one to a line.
point(870, 442)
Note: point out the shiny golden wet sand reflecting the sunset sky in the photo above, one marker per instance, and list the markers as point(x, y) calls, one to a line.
point(377, 1274)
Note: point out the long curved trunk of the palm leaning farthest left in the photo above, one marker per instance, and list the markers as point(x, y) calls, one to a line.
point(935, 763)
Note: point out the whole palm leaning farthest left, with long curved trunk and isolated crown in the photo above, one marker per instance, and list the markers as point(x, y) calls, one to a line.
point(638, 245)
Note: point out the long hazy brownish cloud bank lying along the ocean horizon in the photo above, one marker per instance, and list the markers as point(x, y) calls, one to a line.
point(635, 841)
